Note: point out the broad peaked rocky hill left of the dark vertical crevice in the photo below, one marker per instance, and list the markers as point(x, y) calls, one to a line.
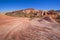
point(30, 12)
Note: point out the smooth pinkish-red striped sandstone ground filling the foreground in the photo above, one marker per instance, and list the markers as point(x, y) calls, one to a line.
point(25, 29)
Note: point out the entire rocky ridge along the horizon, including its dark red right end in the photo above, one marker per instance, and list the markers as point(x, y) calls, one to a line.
point(32, 13)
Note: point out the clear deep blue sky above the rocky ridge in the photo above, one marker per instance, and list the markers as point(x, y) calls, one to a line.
point(12, 5)
